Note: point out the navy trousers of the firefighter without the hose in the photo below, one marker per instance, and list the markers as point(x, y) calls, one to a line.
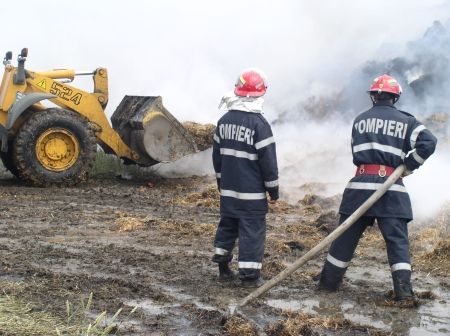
point(252, 234)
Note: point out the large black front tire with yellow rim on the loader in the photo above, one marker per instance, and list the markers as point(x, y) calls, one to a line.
point(55, 147)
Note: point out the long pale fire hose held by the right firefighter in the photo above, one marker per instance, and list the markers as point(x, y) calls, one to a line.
point(323, 244)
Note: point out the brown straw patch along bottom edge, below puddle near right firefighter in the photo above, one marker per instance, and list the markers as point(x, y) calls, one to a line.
point(308, 325)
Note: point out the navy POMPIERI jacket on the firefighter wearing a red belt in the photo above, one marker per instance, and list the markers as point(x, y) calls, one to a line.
point(386, 136)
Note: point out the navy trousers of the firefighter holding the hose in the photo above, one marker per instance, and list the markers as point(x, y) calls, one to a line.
point(395, 234)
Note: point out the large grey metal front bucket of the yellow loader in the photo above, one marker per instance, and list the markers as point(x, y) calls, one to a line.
point(149, 129)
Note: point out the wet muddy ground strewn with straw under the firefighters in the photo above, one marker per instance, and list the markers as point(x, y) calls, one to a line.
point(148, 242)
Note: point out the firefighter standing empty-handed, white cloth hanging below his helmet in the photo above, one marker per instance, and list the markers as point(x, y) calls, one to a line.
point(245, 163)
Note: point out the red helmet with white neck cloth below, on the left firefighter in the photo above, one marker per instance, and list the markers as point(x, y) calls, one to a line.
point(251, 83)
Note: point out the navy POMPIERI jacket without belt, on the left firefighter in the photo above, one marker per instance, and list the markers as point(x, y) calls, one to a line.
point(245, 163)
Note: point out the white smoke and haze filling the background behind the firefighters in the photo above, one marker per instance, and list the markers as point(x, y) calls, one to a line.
point(190, 52)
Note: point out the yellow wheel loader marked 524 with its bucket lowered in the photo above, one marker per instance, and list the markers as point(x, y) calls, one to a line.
point(57, 145)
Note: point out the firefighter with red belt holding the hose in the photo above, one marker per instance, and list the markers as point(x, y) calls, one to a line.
point(383, 138)
